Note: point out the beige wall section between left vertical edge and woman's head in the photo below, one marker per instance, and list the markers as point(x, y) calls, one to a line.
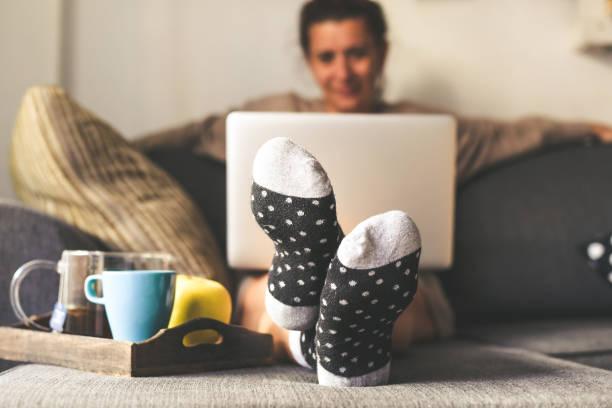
point(145, 64)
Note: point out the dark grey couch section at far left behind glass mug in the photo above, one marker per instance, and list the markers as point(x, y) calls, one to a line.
point(26, 235)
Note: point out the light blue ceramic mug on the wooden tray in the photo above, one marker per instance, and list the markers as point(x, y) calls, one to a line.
point(138, 303)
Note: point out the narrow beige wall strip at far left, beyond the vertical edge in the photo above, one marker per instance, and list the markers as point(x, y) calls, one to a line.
point(30, 51)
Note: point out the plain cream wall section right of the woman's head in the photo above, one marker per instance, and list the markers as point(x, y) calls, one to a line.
point(502, 58)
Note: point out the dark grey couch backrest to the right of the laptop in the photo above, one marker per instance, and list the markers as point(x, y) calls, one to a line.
point(520, 230)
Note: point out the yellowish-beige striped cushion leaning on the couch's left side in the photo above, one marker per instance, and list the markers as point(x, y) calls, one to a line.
point(68, 163)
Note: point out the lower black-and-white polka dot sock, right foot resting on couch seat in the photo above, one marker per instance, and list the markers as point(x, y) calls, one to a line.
point(371, 280)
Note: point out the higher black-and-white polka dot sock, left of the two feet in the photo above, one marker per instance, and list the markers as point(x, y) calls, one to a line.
point(293, 202)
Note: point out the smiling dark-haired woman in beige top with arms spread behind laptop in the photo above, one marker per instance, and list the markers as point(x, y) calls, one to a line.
point(344, 44)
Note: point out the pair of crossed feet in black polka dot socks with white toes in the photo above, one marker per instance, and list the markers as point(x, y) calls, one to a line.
point(339, 296)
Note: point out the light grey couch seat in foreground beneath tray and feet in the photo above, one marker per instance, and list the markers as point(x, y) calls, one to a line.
point(442, 374)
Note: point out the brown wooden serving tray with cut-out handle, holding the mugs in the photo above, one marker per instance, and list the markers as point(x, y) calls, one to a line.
point(162, 354)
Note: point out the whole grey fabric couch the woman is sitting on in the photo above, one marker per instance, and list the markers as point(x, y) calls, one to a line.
point(534, 319)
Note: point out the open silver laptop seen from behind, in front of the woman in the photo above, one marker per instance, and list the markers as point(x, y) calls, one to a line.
point(376, 163)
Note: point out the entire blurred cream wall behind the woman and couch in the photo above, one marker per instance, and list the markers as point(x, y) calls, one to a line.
point(148, 64)
